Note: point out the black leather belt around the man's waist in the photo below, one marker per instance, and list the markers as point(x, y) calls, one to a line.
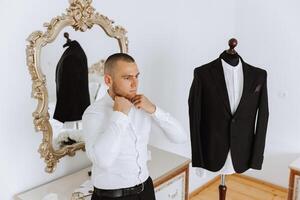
point(120, 192)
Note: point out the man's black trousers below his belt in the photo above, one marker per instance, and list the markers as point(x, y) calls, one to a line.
point(146, 194)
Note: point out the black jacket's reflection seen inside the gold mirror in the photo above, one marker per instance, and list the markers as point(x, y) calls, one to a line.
point(72, 86)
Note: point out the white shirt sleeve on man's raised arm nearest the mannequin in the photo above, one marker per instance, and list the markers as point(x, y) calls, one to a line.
point(170, 126)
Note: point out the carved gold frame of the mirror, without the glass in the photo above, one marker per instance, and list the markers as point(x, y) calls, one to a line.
point(81, 16)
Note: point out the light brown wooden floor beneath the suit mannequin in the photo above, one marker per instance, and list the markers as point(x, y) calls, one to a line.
point(241, 188)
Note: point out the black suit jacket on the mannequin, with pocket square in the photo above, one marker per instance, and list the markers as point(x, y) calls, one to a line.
point(214, 130)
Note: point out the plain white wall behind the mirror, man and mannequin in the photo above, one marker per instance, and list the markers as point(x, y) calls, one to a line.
point(168, 39)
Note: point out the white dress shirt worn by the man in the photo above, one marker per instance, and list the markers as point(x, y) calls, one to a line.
point(117, 143)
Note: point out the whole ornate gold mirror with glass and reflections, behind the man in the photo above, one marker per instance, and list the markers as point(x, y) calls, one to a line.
point(46, 58)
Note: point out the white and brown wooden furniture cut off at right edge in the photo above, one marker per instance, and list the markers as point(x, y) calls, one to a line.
point(294, 184)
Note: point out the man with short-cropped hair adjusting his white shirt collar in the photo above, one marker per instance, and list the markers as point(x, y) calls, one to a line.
point(116, 130)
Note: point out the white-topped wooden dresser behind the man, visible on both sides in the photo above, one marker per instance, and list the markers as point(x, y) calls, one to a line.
point(169, 171)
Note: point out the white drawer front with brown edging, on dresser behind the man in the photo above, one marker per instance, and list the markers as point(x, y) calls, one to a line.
point(173, 189)
